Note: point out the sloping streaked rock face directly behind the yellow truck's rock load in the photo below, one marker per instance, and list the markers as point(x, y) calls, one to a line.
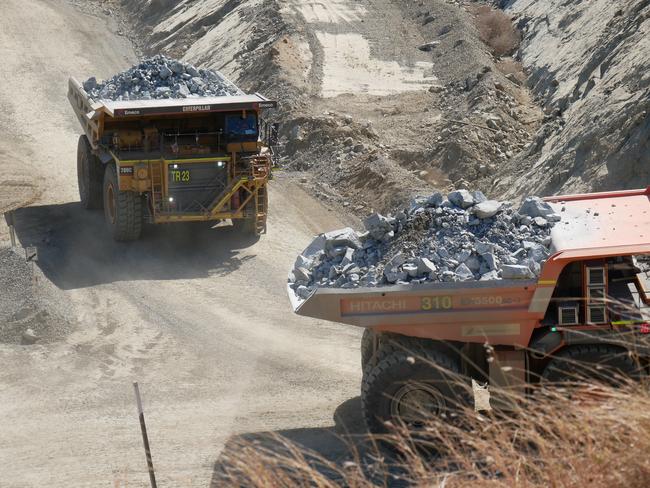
point(236, 37)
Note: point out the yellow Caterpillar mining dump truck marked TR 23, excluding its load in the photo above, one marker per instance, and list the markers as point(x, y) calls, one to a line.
point(174, 160)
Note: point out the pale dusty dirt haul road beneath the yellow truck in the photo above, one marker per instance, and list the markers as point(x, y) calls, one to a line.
point(197, 316)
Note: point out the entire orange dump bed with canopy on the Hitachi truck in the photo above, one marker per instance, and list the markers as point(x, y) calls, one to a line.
point(505, 312)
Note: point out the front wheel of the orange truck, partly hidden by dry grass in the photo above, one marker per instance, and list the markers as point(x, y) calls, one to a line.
point(593, 362)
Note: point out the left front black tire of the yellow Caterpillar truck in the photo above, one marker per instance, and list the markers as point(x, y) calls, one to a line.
point(122, 209)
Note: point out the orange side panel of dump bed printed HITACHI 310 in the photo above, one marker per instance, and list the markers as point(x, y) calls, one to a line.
point(467, 311)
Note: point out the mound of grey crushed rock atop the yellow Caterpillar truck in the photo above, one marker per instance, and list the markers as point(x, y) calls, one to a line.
point(160, 77)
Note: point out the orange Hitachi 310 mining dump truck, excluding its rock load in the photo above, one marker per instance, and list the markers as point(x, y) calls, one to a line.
point(590, 305)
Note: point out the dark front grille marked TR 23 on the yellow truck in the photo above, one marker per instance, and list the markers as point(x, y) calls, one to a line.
point(194, 186)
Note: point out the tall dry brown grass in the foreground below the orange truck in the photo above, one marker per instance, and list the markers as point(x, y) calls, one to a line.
point(562, 437)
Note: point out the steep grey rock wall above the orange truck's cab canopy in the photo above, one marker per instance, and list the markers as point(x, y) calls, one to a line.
point(589, 64)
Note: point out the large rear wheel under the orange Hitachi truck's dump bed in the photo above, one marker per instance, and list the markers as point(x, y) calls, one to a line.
point(409, 389)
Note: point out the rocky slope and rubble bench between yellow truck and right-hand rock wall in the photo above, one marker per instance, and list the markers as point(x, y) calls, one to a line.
point(369, 119)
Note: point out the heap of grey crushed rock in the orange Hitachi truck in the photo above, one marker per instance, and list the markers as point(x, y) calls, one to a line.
point(461, 237)
